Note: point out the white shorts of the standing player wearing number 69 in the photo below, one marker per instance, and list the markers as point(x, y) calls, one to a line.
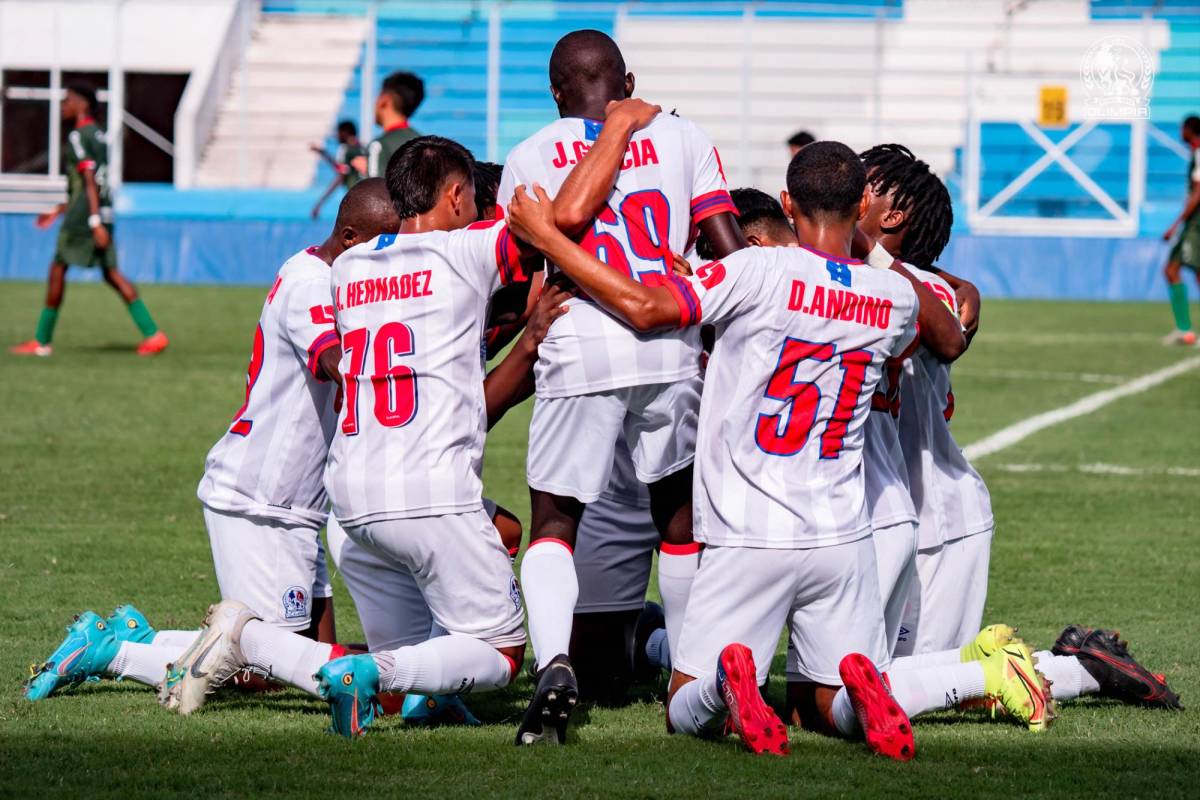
point(573, 440)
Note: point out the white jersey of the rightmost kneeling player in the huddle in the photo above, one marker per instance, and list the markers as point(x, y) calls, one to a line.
point(952, 501)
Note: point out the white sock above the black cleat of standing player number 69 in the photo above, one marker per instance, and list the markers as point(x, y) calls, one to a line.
point(551, 588)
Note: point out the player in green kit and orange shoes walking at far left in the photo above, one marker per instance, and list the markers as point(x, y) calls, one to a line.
point(86, 238)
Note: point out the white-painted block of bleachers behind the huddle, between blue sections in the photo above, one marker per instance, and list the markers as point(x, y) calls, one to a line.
point(865, 82)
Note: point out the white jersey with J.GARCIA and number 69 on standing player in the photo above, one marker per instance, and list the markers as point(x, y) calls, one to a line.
point(670, 182)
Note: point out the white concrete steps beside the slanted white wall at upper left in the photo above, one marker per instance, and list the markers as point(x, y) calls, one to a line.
point(285, 95)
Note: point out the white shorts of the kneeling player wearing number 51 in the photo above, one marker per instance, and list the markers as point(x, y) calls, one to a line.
point(827, 597)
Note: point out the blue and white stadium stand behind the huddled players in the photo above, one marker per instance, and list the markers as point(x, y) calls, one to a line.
point(908, 85)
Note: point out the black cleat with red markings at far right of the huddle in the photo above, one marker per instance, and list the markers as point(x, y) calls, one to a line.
point(1108, 660)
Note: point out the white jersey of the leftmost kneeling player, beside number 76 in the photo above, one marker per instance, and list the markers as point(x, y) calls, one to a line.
point(271, 461)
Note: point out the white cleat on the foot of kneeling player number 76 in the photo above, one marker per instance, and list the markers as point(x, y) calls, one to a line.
point(211, 661)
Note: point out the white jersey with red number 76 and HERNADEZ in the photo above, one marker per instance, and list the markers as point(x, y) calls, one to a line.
point(411, 314)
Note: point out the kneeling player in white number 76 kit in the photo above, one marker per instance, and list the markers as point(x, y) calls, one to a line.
point(404, 472)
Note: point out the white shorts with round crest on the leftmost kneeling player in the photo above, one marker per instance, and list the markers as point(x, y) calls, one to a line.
point(273, 567)
